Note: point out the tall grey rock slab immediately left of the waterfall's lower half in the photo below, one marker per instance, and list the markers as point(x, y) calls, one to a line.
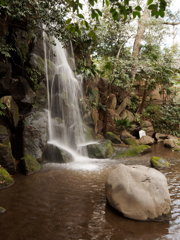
point(35, 134)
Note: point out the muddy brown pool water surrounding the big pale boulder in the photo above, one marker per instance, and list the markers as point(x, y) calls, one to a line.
point(68, 202)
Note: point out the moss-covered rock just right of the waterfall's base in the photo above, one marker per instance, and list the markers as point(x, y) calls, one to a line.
point(102, 149)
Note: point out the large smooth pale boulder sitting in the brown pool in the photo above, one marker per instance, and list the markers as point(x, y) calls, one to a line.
point(138, 192)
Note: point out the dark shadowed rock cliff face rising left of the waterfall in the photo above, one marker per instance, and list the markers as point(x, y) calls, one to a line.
point(23, 93)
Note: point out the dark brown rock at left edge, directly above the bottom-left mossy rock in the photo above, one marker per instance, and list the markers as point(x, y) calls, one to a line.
point(6, 158)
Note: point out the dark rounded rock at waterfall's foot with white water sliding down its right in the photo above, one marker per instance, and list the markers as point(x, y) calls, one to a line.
point(55, 154)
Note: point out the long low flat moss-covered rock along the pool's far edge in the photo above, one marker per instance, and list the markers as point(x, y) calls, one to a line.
point(133, 151)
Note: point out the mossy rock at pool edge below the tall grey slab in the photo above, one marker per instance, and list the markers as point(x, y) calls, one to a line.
point(29, 165)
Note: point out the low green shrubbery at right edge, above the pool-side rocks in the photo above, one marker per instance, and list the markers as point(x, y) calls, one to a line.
point(165, 118)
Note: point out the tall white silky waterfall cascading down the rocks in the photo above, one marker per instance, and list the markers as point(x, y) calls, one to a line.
point(64, 89)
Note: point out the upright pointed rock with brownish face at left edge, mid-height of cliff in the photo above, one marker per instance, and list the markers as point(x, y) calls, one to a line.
point(11, 111)
